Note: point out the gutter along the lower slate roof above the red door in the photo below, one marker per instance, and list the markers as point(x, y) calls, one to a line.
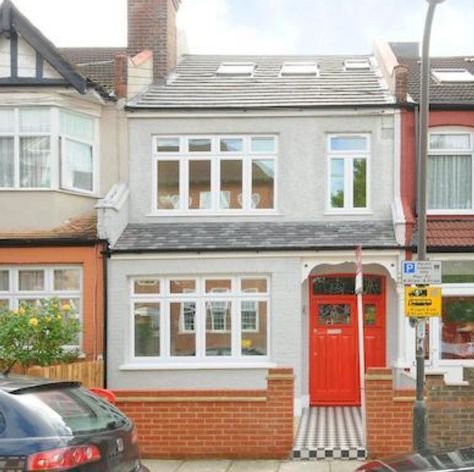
point(255, 249)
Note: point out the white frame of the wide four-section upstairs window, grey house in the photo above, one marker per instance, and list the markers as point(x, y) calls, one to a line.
point(215, 156)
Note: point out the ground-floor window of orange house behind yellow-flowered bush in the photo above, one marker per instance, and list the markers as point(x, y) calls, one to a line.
point(28, 285)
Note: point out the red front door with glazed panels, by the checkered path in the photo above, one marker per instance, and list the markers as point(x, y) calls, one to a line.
point(334, 353)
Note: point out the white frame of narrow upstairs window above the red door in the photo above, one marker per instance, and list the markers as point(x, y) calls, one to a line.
point(348, 158)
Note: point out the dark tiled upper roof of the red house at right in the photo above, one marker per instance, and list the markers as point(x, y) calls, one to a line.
point(441, 93)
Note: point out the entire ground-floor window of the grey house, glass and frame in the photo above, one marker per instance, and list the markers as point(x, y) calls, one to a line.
point(199, 319)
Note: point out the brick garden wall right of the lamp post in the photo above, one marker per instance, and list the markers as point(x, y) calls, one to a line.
point(450, 411)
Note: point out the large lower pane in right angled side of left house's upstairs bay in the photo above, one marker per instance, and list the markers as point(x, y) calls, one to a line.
point(77, 166)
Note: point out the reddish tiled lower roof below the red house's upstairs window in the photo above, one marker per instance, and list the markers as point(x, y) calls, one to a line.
point(448, 233)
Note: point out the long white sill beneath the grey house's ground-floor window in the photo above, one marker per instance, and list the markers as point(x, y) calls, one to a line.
point(196, 366)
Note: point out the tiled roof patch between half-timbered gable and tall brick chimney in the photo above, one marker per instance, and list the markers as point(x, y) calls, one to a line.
point(96, 63)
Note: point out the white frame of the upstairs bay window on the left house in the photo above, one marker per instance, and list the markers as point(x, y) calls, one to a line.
point(56, 151)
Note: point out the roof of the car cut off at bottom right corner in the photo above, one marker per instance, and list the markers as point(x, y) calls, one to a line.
point(450, 460)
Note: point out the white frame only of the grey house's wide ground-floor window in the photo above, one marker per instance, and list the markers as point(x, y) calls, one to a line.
point(235, 296)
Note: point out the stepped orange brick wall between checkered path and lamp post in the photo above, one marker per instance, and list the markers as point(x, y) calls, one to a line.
point(389, 415)
